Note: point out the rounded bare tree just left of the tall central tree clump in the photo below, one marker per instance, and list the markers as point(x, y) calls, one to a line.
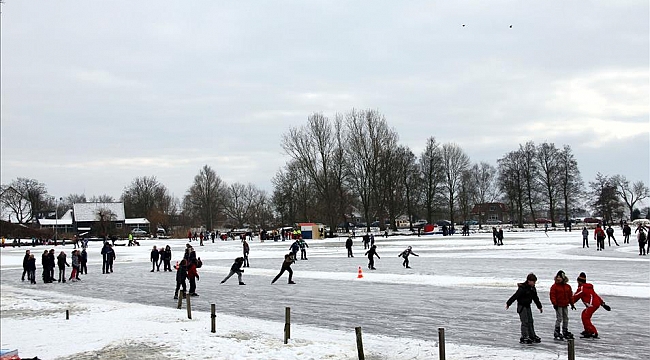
point(204, 197)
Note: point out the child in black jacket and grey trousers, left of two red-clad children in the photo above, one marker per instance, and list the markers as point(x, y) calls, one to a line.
point(525, 295)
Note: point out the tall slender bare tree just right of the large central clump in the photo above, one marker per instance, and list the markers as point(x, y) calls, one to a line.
point(432, 175)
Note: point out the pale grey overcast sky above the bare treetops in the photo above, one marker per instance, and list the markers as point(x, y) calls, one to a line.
point(96, 93)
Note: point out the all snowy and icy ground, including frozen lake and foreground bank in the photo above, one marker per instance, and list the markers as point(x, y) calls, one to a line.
point(457, 283)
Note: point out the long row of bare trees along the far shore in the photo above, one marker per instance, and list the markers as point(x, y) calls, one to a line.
point(353, 163)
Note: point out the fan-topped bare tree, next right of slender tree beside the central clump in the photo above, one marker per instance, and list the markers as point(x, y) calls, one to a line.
point(454, 163)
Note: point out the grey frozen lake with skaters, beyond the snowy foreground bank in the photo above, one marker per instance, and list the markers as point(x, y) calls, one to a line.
point(459, 283)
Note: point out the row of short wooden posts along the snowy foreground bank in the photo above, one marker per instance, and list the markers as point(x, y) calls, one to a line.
point(357, 330)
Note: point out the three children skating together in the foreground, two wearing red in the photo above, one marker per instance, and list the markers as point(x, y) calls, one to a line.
point(562, 297)
